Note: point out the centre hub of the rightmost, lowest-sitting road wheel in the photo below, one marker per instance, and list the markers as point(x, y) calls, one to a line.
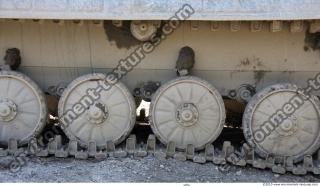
point(288, 126)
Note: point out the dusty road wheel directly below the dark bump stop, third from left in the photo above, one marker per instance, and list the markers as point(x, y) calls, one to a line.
point(187, 110)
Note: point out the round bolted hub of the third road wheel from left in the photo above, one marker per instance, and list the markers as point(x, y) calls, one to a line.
point(187, 114)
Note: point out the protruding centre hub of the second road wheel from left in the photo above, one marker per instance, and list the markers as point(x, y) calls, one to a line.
point(97, 113)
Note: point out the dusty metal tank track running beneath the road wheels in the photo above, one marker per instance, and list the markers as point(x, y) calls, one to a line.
point(223, 156)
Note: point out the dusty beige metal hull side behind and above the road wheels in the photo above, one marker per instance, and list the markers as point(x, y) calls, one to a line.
point(54, 52)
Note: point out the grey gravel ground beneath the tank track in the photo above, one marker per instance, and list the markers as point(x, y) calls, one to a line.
point(147, 169)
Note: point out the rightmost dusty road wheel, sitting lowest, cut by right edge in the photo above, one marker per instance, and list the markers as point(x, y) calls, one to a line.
point(281, 121)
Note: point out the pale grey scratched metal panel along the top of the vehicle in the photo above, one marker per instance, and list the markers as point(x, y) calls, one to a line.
point(161, 9)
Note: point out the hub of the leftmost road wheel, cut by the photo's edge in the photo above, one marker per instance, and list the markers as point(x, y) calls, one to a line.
point(8, 110)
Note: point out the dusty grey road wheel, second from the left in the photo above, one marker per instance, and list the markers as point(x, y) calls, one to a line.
point(90, 112)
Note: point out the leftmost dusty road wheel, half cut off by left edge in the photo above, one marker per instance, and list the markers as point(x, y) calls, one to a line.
point(23, 109)
